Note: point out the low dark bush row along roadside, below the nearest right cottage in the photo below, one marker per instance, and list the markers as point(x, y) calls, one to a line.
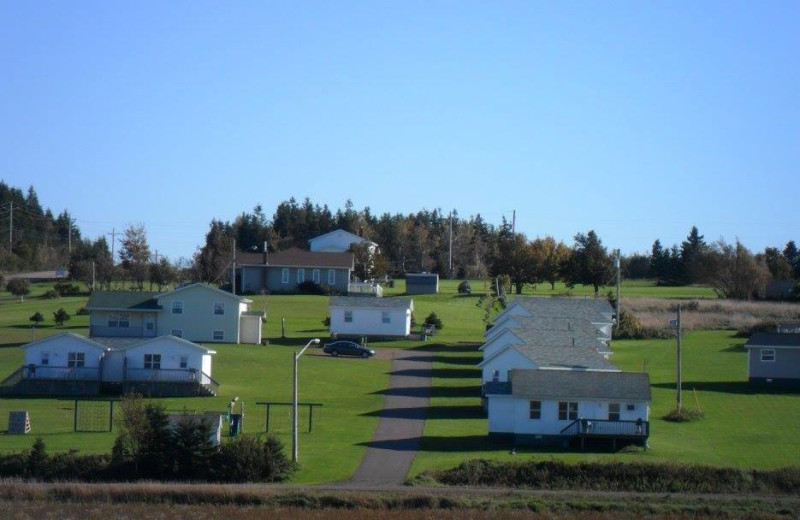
point(618, 476)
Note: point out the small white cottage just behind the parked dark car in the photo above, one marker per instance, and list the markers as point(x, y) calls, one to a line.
point(365, 316)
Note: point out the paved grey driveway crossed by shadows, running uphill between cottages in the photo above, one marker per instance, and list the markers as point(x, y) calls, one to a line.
point(396, 440)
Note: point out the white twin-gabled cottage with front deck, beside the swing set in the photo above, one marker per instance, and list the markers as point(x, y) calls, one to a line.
point(69, 364)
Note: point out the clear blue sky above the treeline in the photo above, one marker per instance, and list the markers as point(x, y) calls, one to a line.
point(636, 119)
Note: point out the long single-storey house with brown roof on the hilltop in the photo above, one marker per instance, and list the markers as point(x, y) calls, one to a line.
point(283, 271)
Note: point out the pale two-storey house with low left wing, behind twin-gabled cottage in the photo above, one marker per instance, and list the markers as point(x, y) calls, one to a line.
point(197, 312)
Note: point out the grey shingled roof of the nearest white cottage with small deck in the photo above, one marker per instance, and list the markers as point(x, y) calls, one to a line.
point(565, 384)
